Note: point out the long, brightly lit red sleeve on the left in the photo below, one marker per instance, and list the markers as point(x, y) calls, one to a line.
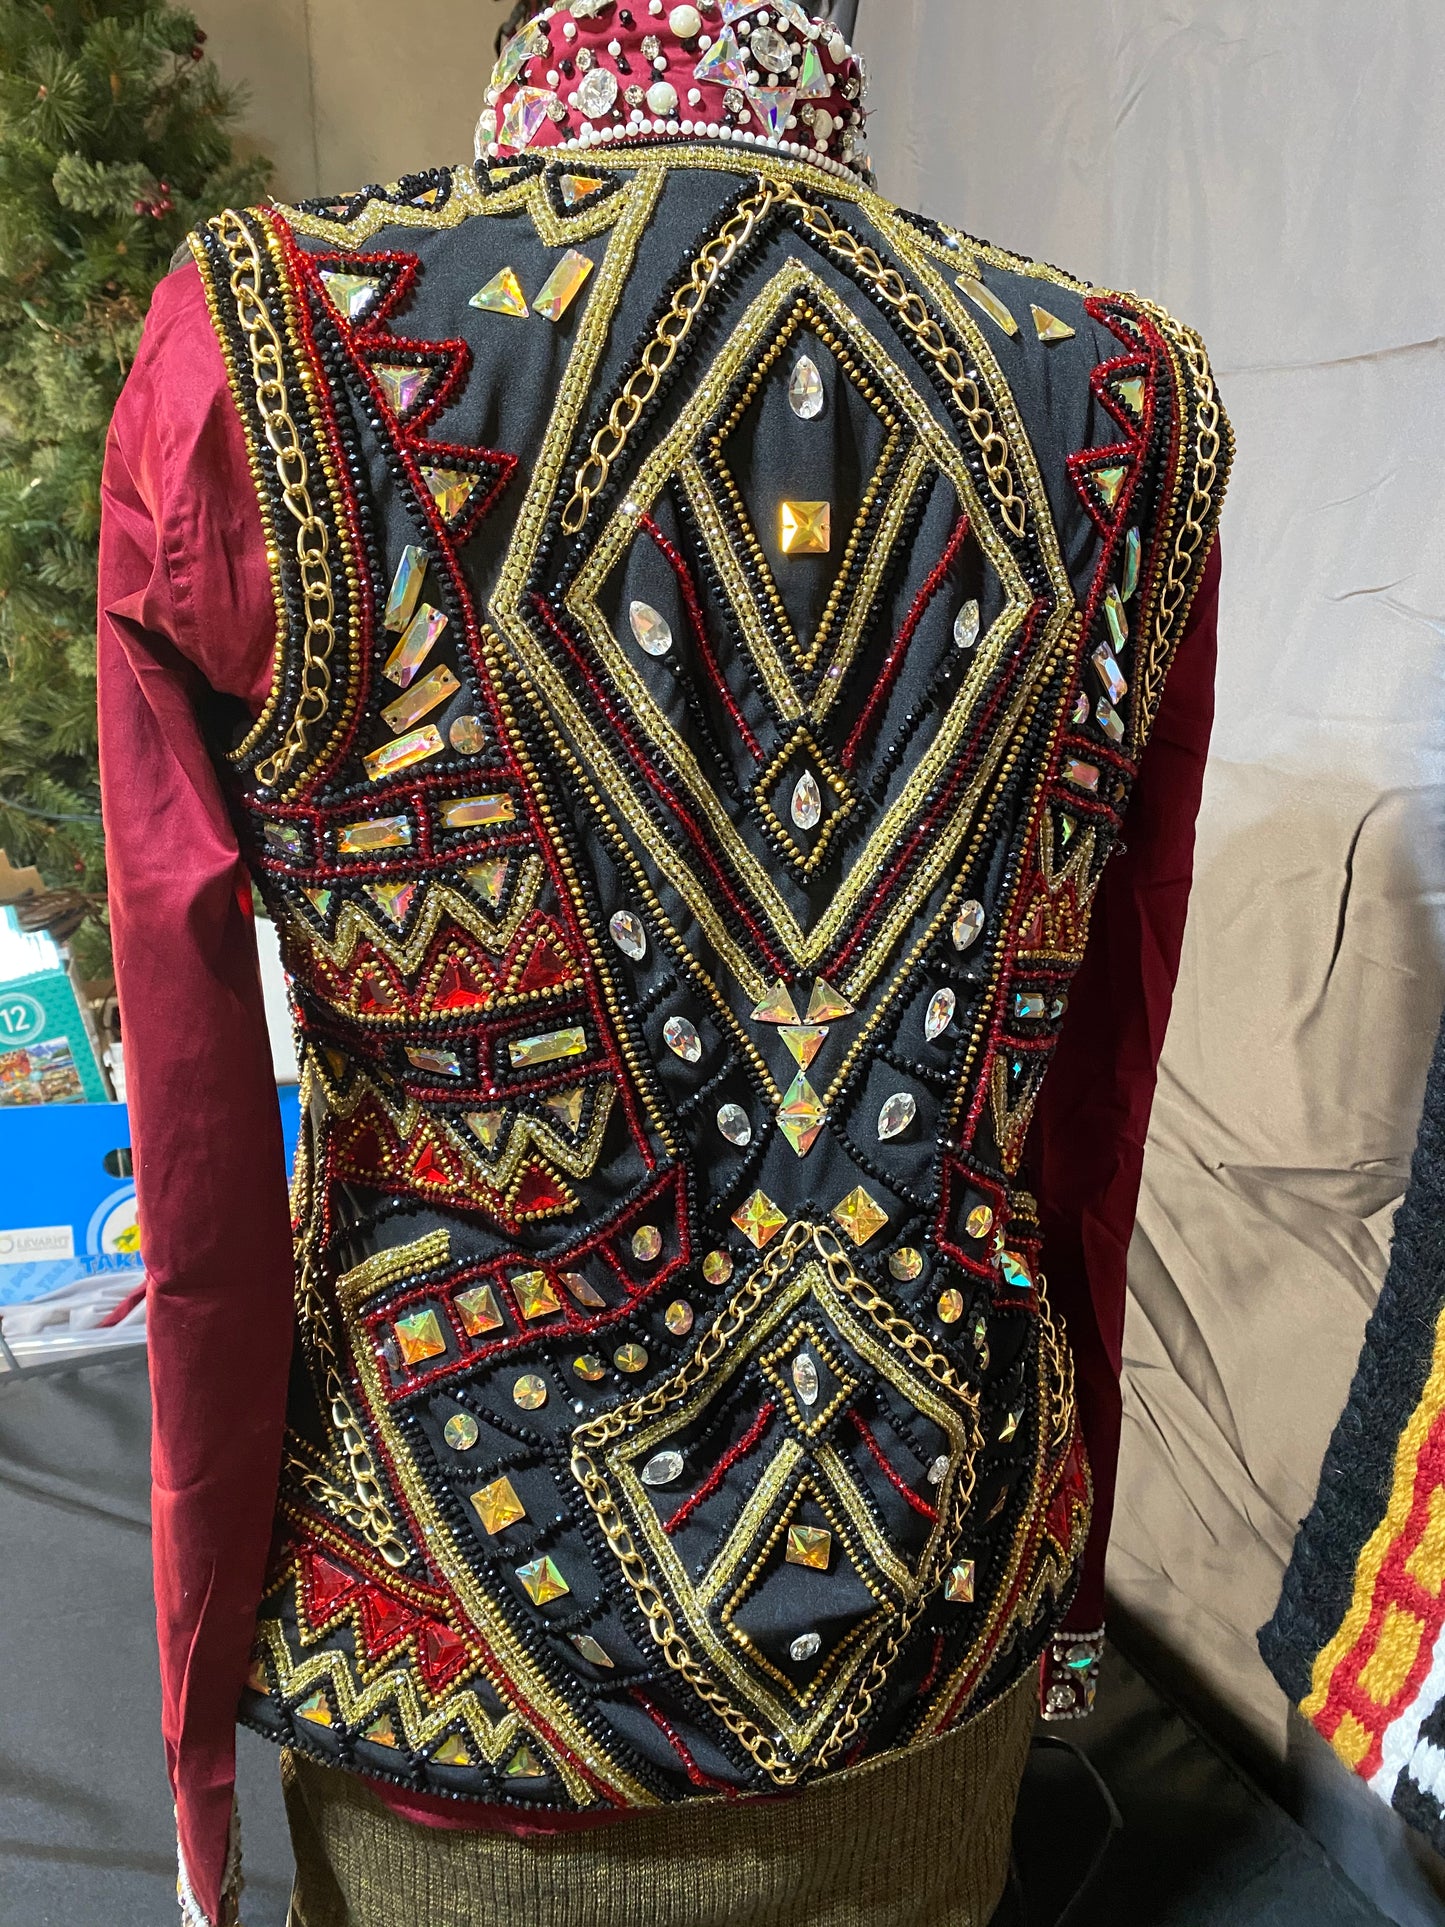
point(186, 602)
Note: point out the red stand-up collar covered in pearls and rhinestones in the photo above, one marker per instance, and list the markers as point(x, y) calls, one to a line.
point(756, 72)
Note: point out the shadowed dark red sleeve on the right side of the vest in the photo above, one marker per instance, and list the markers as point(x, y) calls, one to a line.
point(1088, 1148)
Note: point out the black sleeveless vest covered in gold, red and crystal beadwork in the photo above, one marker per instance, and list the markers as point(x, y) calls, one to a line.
point(720, 620)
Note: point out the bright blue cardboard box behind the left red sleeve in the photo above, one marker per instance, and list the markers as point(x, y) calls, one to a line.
point(68, 1198)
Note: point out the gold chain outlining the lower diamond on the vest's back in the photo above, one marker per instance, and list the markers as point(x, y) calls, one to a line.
point(602, 1433)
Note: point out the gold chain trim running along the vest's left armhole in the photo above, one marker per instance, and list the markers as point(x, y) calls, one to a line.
point(294, 477)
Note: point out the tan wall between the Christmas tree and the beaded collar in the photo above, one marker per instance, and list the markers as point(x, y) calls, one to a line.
point(354, 92)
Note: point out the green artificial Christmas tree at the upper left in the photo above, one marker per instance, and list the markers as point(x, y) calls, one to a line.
point(115, 142)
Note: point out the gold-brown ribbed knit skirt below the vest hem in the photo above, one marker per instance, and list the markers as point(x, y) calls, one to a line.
point(922, 1837)
